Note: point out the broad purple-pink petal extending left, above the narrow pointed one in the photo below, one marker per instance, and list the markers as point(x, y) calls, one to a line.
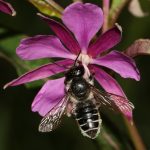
point(42, 46)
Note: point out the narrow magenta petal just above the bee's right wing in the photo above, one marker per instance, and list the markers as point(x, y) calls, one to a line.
point(109, 84)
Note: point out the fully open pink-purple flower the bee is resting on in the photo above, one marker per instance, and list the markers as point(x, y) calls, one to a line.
point(84, 21)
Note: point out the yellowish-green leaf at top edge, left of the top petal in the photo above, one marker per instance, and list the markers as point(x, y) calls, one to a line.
point(46, 8)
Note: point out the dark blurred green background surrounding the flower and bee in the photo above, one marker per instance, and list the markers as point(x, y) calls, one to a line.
point(19, 126)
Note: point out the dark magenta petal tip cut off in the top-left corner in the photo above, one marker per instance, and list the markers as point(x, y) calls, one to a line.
point(7, 8)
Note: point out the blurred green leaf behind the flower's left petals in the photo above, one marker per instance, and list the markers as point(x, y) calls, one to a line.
point(8, 47)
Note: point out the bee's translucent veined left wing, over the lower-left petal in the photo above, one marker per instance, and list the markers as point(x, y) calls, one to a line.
point(52, 119)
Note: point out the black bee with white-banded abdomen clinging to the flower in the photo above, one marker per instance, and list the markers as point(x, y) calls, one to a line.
point(82, 101)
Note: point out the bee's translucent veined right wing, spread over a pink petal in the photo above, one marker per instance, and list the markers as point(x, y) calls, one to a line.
point(112, 101)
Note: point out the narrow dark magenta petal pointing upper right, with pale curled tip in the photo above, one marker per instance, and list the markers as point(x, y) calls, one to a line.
point(106, 41)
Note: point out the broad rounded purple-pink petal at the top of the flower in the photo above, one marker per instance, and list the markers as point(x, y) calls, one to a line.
point(84, 20)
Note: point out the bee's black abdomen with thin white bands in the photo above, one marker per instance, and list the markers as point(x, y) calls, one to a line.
point(88, 118)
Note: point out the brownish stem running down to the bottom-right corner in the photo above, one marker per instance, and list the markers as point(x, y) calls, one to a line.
point(134, 135)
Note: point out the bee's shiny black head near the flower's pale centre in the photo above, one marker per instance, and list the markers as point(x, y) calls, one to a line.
point(75, 71)
